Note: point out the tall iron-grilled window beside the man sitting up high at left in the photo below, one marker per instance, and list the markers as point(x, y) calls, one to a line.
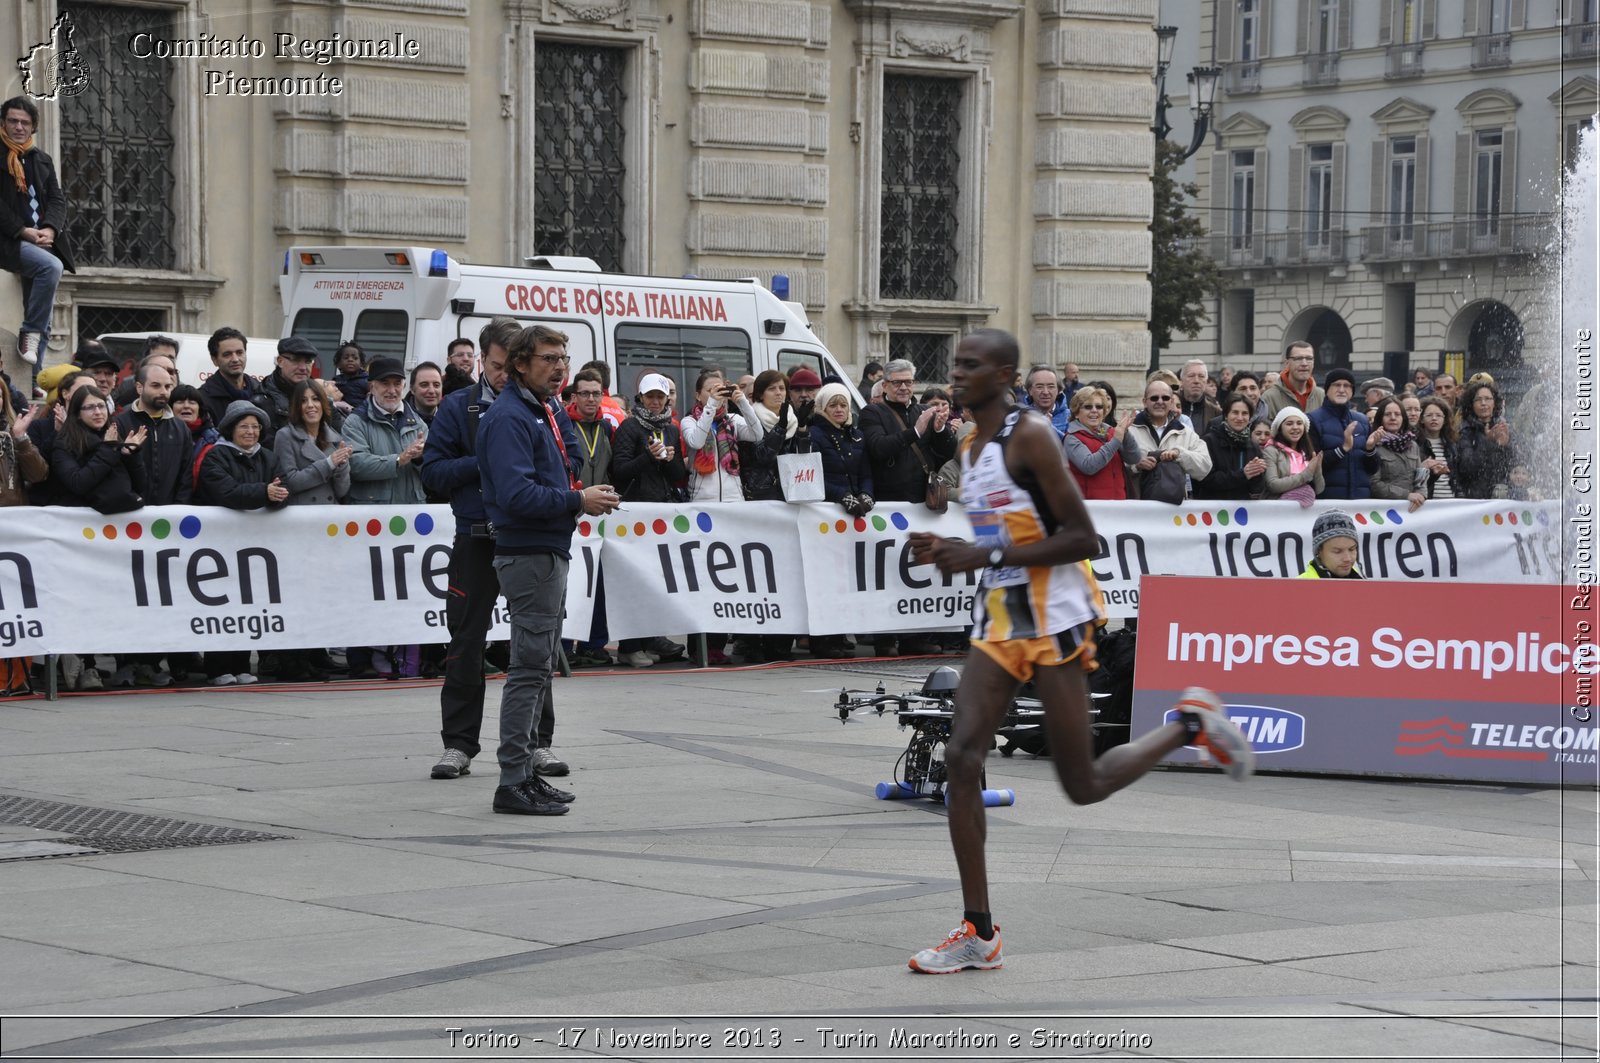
point(118, 148)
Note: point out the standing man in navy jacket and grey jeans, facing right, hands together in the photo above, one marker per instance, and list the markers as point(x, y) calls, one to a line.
point(532, 500)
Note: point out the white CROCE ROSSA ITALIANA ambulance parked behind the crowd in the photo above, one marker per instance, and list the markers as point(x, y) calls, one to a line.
point(409, 303)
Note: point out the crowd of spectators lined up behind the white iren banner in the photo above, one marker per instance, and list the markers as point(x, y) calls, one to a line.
point(292, 439)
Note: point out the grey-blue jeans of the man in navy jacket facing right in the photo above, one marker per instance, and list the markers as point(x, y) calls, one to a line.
point(535, 588)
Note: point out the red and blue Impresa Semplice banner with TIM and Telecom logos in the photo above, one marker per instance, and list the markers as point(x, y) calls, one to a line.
point(1374, 678)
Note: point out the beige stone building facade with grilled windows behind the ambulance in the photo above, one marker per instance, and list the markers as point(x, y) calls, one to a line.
point(916, 169)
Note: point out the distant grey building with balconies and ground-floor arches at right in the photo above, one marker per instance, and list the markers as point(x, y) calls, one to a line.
point(1385, 179)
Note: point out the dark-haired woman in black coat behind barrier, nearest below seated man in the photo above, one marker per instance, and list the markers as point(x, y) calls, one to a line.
point(90, 465)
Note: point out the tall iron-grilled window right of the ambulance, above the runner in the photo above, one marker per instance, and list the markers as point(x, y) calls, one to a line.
point(922, 134)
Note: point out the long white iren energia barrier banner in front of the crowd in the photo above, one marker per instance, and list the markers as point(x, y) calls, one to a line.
point(201, 579)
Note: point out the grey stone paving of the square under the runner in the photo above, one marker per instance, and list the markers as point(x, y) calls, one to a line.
point(759, 840)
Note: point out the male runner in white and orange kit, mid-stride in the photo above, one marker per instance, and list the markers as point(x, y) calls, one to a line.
point(1034, 619)
